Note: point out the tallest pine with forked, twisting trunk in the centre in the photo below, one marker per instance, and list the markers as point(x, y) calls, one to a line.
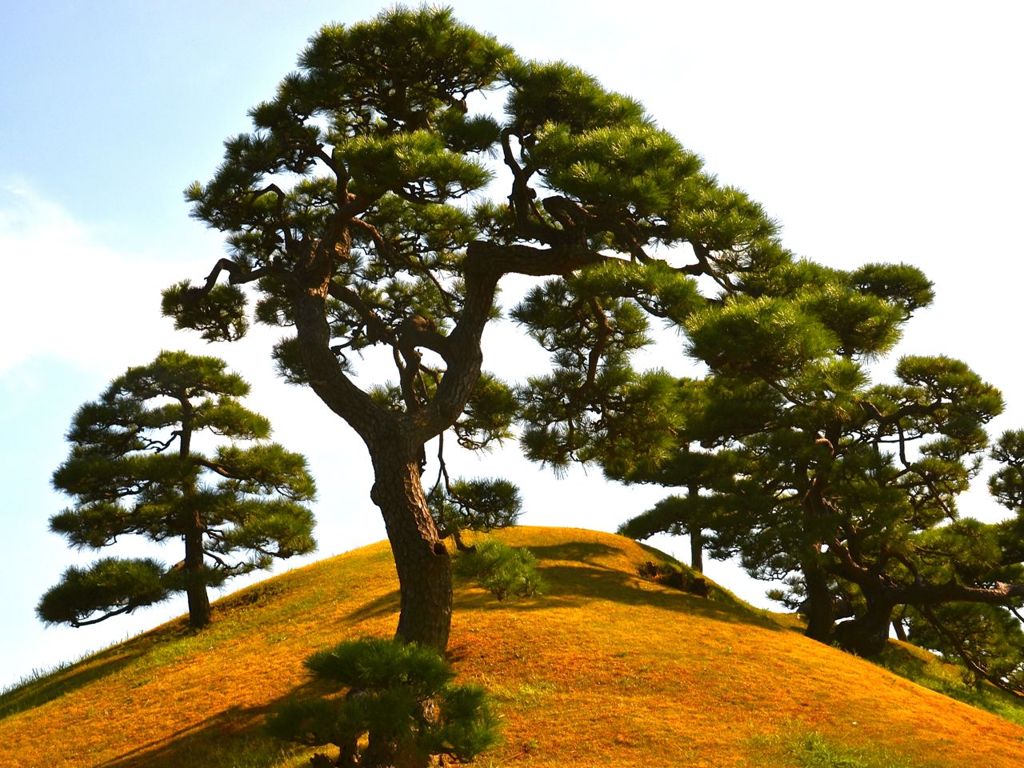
point(356, 217)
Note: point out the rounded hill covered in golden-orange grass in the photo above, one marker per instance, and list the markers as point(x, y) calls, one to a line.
point(608, 669)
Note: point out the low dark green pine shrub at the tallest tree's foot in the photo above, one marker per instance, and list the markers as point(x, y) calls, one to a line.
point(400, 708)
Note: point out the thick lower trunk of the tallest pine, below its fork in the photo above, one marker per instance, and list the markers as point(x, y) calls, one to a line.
point(420, 557)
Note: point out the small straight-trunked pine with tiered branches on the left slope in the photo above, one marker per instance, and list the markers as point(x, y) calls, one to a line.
point(137, 468)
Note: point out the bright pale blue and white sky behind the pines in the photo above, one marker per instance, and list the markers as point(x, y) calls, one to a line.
point(872, 132)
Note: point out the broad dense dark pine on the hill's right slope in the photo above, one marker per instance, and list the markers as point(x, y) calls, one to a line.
point(845, 490)
